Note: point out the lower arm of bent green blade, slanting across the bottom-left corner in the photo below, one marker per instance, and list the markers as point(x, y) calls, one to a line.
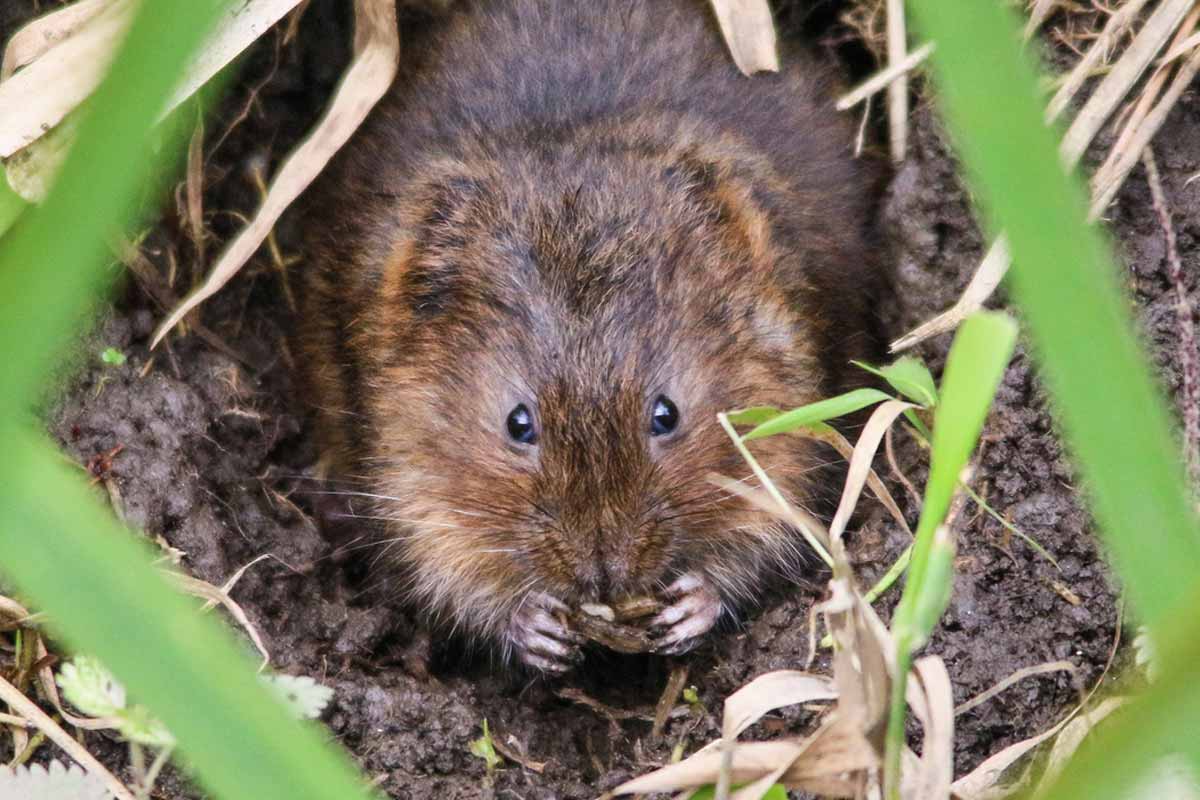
point(103, 596)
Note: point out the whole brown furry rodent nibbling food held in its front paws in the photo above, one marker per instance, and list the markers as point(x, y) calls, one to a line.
point(571, 236)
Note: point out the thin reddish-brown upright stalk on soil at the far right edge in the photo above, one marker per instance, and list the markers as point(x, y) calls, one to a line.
point(1185, 326)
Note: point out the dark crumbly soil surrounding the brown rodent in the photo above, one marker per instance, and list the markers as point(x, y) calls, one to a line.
point(217, 459)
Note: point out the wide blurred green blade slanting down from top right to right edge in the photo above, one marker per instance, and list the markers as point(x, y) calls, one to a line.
point(1066, 282)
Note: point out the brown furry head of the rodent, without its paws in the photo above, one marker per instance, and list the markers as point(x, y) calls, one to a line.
point(551, 345)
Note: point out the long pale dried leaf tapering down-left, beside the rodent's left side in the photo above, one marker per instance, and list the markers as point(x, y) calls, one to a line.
point(376, 59)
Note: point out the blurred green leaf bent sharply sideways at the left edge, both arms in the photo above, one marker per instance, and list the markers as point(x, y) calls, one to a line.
point(58, 545)
